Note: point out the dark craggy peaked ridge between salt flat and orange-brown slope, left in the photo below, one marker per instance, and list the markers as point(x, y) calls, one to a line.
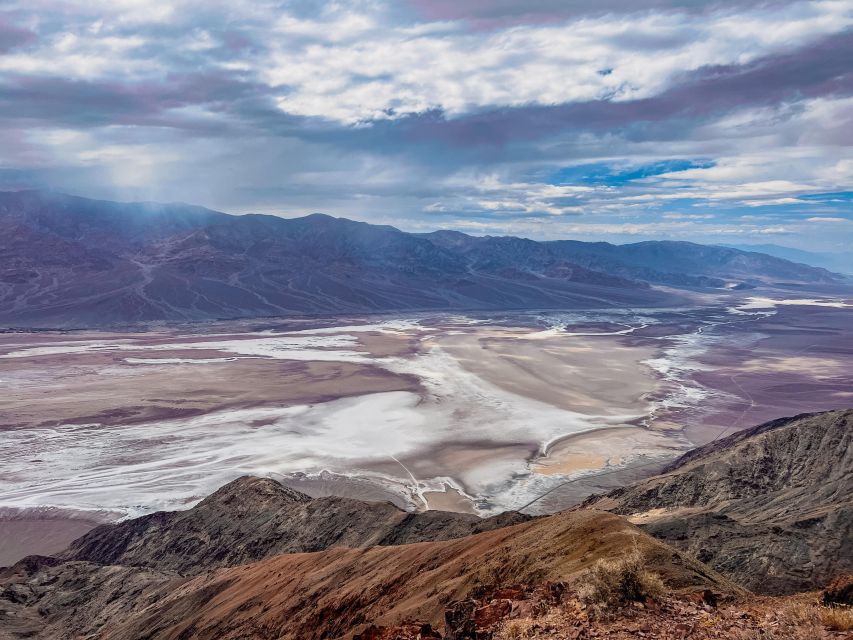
point(254, 518)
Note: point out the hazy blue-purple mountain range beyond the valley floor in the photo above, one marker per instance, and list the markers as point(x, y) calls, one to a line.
point(67, 261)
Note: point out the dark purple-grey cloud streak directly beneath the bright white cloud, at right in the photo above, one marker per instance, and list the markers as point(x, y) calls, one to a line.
point(817, 70)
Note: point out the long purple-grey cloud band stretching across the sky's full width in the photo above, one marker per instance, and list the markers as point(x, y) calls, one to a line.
point(819, 69)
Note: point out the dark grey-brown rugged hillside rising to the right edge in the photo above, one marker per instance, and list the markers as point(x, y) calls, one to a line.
point(771, 507)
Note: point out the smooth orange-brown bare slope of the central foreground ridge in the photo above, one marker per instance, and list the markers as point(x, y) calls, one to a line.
point(333, 593)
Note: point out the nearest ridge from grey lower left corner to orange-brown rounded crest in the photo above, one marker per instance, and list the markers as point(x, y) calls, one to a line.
point(327, 594)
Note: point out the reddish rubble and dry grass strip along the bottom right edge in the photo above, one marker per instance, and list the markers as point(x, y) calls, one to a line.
point(555, 611)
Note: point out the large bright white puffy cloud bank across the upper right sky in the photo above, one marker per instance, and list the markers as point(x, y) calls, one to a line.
point(354, 68)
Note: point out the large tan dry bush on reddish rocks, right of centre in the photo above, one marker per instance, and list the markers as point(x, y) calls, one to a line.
point(618, 582)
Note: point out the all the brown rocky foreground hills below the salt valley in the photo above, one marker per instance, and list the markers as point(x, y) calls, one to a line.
point(257, 560)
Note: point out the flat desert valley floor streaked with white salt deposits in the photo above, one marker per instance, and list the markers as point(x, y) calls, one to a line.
point(478, 413)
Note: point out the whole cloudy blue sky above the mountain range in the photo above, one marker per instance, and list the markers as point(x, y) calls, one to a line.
point(619, 120)
